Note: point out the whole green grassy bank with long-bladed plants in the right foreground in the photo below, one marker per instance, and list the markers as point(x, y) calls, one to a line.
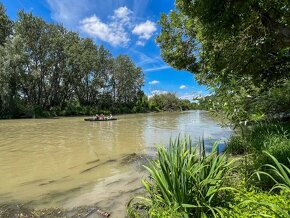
point(250, 179)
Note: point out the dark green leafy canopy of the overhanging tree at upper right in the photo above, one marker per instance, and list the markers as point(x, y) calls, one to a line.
point(235, 40)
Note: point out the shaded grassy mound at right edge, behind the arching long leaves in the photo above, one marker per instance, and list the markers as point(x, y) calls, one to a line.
point(273, 138)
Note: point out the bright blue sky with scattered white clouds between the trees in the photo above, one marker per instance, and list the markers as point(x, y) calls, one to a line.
point(123, 27)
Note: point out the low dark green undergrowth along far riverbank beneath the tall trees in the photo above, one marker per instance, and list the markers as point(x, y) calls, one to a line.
point(156, 103)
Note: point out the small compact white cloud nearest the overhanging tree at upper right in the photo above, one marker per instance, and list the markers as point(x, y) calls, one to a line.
point(145, 30)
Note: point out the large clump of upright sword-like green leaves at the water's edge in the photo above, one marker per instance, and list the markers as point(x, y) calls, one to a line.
point(186, 178)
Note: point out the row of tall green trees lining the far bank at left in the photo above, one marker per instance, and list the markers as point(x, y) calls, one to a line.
point(46, 69)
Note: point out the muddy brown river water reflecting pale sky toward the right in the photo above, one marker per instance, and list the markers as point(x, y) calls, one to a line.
point(68, 162)
